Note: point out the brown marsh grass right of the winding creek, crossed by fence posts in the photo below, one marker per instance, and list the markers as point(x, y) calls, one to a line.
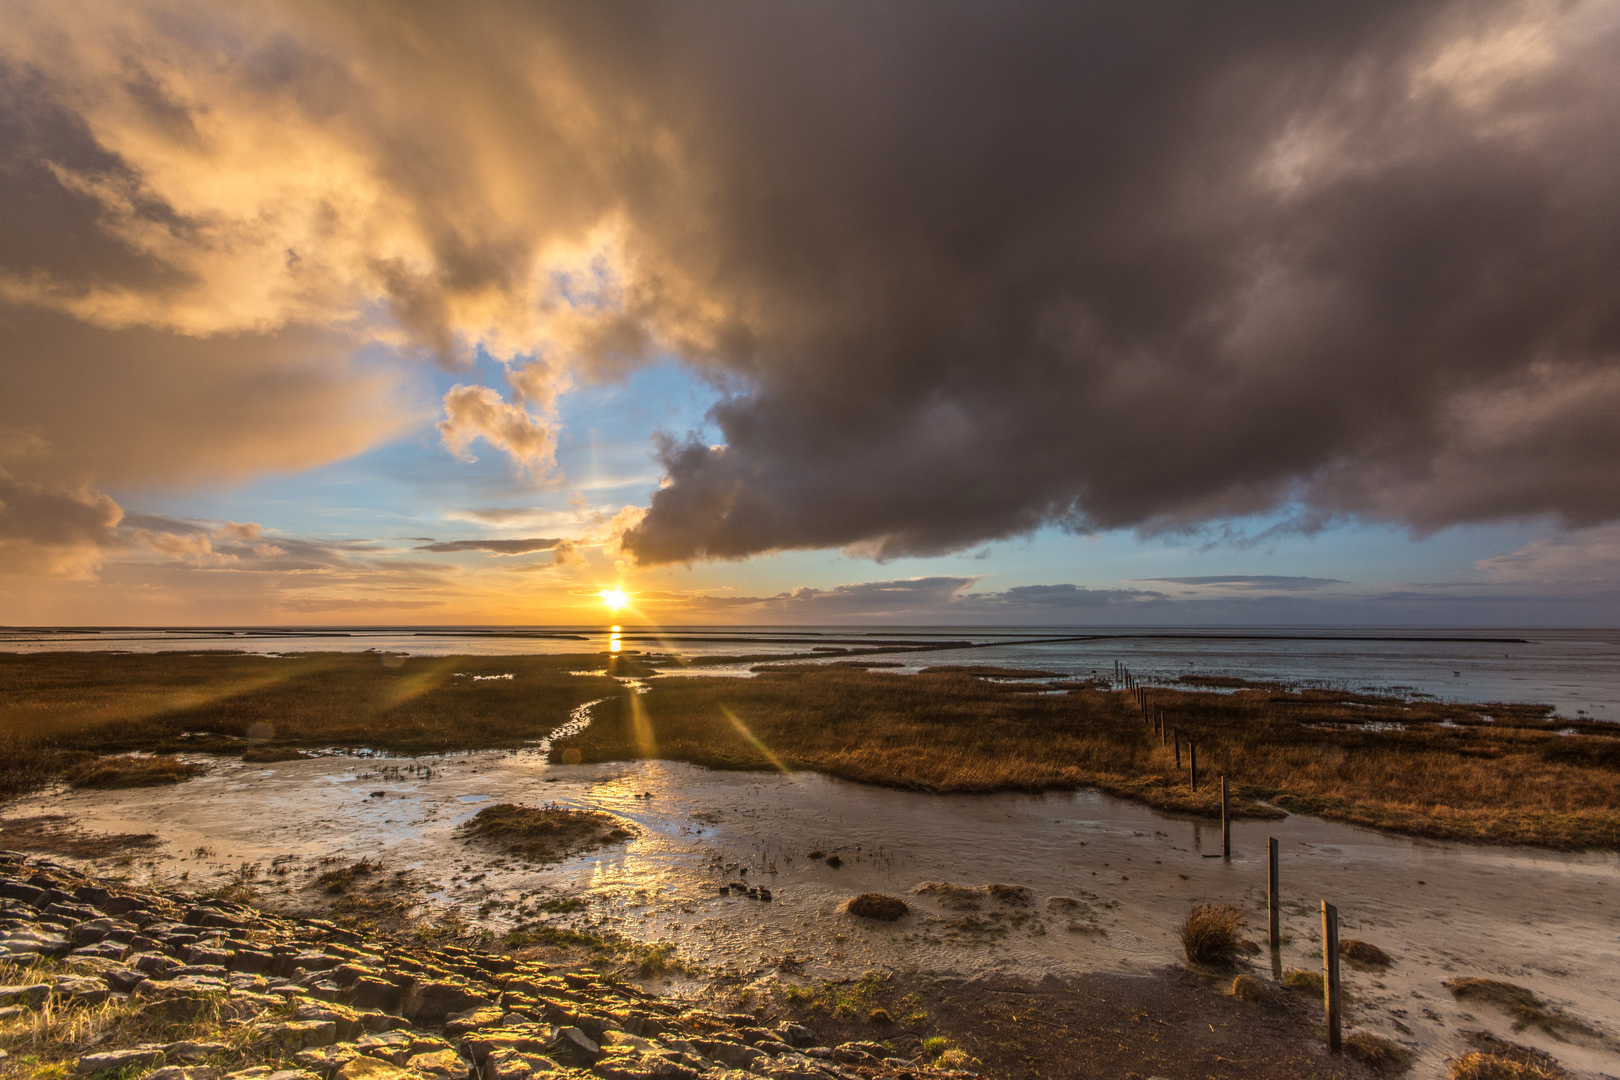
point(1443, 773)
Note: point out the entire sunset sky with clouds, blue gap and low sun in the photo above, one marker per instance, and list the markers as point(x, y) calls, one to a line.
point(811, 313)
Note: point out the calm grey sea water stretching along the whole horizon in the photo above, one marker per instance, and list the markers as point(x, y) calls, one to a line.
point(1575, 671)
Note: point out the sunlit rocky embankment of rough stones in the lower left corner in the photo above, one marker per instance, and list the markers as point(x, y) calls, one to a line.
point(250, 995)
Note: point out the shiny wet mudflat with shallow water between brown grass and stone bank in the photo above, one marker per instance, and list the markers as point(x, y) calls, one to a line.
point(1543, 921)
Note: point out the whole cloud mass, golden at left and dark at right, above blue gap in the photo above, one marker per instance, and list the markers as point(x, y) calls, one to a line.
point(957, 270)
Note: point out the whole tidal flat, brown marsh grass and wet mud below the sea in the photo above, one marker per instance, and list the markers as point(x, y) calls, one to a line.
point(994, 780)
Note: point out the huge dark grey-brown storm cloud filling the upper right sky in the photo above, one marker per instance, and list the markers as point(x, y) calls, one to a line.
point(1151, 266)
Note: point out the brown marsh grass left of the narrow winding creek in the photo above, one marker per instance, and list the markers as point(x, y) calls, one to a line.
point(59, 710)
